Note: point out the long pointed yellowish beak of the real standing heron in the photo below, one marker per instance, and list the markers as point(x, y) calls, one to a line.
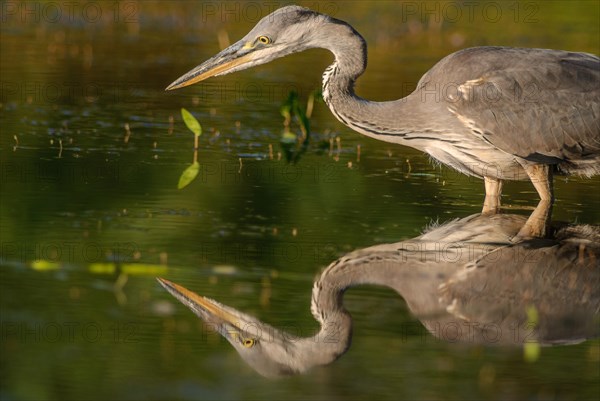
point(222, 63)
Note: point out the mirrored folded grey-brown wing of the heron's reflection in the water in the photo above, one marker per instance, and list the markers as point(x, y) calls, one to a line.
point(559, 278)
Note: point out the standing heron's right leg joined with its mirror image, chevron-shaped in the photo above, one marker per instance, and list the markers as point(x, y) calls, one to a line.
point(538, 223)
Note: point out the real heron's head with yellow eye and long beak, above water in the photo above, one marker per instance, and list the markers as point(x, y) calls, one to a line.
point(287, 30)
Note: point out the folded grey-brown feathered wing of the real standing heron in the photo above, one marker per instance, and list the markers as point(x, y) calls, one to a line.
point(544, 107)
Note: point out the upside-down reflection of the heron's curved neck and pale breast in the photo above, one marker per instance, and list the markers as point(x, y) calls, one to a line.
point(414, 269)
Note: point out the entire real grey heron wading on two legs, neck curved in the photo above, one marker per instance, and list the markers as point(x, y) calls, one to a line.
point(493, 112)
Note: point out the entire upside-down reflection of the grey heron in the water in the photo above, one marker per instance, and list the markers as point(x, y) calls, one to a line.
point(465, 276)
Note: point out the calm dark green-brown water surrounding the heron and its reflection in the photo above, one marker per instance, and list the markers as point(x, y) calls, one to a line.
point(91, 213)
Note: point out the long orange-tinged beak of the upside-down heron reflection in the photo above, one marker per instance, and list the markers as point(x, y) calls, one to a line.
point(209, 310)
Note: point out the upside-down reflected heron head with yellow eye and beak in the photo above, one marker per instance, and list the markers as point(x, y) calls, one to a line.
point(267, 350)
